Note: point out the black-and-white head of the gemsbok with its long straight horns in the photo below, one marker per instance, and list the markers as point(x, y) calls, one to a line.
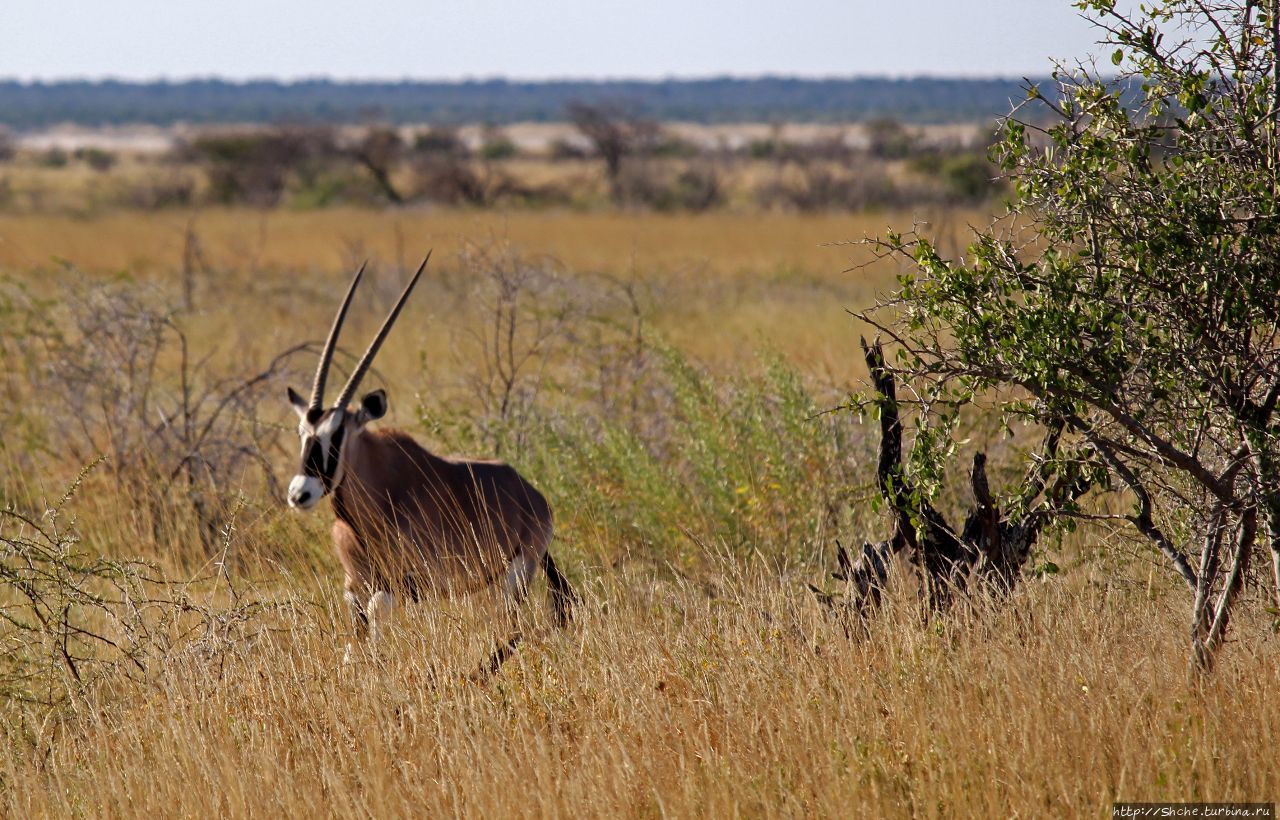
point(326, 432)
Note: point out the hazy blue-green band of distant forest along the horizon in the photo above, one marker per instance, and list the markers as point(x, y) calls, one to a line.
point(499, 102)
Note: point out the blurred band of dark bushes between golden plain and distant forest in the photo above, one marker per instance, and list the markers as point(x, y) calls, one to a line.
point(615, 157)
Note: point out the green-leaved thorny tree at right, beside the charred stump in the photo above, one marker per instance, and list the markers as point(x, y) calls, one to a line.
point(1132, 294)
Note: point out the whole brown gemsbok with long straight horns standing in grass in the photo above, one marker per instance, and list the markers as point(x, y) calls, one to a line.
point(410, 523)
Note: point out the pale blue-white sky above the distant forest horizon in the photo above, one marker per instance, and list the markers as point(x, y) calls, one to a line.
point(579, 39)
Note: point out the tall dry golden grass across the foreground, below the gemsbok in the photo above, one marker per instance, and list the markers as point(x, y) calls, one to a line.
point(666, 702)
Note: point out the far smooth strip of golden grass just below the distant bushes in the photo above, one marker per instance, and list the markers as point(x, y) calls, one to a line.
point(717, 244)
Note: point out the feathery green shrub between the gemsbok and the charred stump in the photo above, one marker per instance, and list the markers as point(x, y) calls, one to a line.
point(746, 466)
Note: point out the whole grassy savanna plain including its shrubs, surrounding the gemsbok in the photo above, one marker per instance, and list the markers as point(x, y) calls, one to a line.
point(666, 381)
